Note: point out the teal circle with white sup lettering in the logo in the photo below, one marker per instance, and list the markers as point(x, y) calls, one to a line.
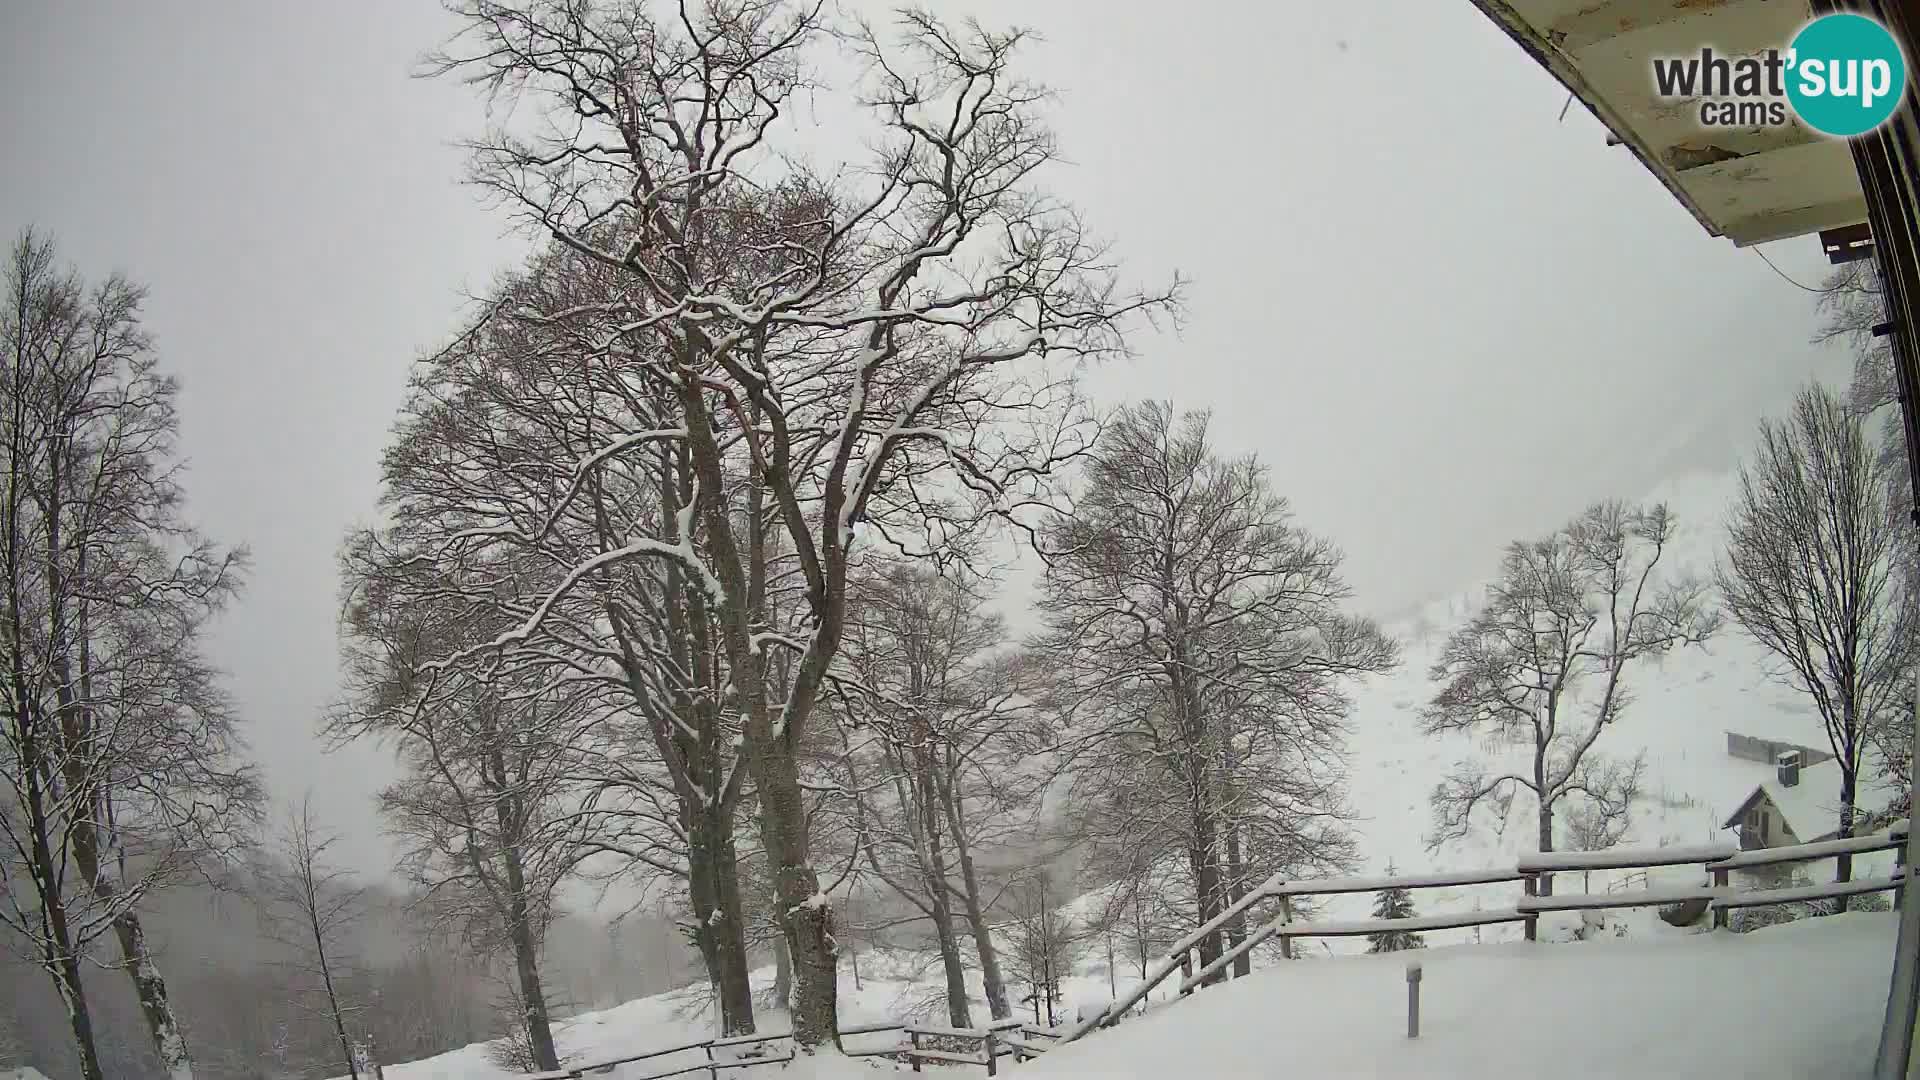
point(1846, 76)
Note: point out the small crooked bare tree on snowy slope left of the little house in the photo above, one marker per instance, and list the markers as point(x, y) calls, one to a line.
point(1570, 612)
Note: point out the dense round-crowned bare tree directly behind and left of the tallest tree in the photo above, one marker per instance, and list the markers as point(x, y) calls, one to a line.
point(502, 453)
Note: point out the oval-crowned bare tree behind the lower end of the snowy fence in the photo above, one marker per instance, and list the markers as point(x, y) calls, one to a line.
point(1199, 650)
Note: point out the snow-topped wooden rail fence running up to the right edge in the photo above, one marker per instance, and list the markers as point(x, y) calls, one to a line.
point(1533, 871)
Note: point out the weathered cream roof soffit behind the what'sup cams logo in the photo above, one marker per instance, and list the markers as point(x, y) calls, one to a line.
point(1744, 184)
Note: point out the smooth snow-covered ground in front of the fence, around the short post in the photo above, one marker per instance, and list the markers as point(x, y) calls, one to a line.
point(1788, 1002)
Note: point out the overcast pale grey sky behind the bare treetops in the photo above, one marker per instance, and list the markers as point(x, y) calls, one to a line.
point(1443, 318)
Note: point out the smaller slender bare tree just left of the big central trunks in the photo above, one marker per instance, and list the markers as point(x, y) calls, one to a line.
point(489, 812)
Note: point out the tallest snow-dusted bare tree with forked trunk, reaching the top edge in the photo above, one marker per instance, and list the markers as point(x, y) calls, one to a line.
point(840, 341)
